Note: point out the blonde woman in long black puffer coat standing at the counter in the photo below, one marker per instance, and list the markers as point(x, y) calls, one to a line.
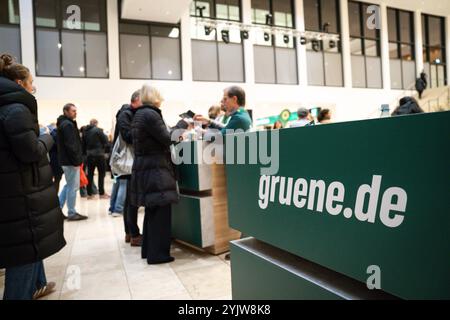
point(153, 181)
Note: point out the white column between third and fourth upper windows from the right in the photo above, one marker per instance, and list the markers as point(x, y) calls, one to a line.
point(345, 40)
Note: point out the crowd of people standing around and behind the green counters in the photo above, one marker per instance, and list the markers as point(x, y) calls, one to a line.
point(34, 159)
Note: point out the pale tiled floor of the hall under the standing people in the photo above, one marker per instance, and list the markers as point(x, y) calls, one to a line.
point(98, 264)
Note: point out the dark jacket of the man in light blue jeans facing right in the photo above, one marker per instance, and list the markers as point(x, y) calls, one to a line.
point(70, 152)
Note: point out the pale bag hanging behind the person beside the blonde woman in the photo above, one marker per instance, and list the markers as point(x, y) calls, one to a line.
point(122, 158)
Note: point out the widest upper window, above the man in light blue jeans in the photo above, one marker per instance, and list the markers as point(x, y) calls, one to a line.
point(83, 47)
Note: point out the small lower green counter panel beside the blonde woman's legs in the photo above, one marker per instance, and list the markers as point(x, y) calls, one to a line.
point(186, 221)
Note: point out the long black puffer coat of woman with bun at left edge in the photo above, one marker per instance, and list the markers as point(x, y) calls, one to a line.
point(31, 221)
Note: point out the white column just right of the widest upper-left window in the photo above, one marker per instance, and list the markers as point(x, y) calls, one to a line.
point(113, 39)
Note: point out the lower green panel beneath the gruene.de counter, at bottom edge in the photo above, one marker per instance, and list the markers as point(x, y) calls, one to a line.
point(254, 278)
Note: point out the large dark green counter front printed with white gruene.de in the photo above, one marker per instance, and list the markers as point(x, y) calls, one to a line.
point(410, 152)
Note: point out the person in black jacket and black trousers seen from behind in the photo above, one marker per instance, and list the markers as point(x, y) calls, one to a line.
point(94, 143)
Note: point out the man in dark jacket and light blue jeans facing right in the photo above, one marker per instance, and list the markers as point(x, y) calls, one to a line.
point(70, 158)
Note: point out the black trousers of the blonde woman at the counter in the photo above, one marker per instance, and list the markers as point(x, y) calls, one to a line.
point(157, 234)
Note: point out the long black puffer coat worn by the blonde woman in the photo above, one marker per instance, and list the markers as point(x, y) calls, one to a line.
point(153, 182)
